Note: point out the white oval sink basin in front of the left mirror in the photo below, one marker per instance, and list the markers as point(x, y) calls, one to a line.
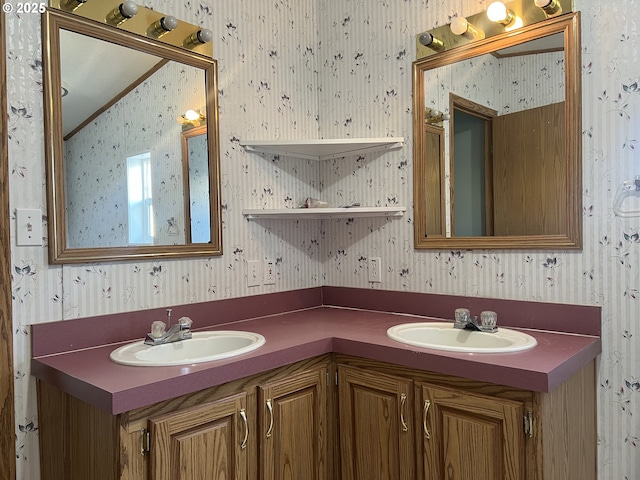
point(202, 347)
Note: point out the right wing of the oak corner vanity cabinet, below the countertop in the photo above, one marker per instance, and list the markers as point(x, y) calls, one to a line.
point(462, 429)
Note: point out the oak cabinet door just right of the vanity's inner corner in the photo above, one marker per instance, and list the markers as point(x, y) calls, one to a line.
point(376, 434)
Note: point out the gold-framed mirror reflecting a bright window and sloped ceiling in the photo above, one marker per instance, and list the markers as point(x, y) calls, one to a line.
point(114, 125)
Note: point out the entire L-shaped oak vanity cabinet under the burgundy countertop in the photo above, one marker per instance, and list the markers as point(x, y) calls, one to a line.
point(375, 425)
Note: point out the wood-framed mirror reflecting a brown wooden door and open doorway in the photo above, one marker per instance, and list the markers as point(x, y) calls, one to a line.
point(497, 141)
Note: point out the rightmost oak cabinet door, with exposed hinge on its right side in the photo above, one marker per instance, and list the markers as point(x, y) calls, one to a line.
point(468, 436)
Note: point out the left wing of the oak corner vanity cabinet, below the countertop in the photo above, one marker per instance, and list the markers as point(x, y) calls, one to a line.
point(215, 433)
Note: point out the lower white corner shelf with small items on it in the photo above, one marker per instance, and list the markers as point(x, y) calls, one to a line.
point(315, 213)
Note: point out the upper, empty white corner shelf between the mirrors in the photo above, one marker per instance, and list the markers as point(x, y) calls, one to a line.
point(323, 149)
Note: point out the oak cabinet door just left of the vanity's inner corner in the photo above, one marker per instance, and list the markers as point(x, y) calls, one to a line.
point(293, 427)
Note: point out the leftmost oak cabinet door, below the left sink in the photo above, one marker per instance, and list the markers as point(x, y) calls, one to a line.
point(201, 443)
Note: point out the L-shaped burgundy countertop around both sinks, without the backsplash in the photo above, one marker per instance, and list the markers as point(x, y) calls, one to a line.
point(91, 376)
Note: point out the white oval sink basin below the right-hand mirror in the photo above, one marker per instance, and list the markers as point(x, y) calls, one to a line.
point(442, 336)
